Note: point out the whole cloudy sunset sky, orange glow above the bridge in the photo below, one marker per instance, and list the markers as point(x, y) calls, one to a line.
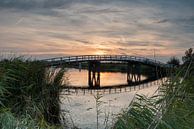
point(50, 28)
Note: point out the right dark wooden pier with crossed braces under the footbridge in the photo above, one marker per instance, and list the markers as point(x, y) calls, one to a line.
point(133, 72)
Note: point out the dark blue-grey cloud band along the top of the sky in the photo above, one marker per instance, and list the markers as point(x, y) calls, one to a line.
point(28, 4)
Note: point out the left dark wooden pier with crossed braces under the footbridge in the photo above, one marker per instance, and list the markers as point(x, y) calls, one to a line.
point(94, 74)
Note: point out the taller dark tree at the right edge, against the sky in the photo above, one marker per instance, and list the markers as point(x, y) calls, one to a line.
point(189, 56)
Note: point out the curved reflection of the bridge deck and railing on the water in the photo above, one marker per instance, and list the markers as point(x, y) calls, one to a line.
point(134, 86)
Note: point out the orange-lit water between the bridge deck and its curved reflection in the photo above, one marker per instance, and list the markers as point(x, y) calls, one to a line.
point(80, 78)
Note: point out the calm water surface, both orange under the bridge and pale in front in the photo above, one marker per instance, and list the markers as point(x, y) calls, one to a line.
point(80, 109)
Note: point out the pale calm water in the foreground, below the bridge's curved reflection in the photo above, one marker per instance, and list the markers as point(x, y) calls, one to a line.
point(82, 108)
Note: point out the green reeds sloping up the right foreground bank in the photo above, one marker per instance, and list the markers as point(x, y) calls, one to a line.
point(171, 108)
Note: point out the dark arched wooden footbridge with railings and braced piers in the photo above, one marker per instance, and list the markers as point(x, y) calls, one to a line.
point(94, 61)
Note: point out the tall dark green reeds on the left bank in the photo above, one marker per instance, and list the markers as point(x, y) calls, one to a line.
point(29, 94)
